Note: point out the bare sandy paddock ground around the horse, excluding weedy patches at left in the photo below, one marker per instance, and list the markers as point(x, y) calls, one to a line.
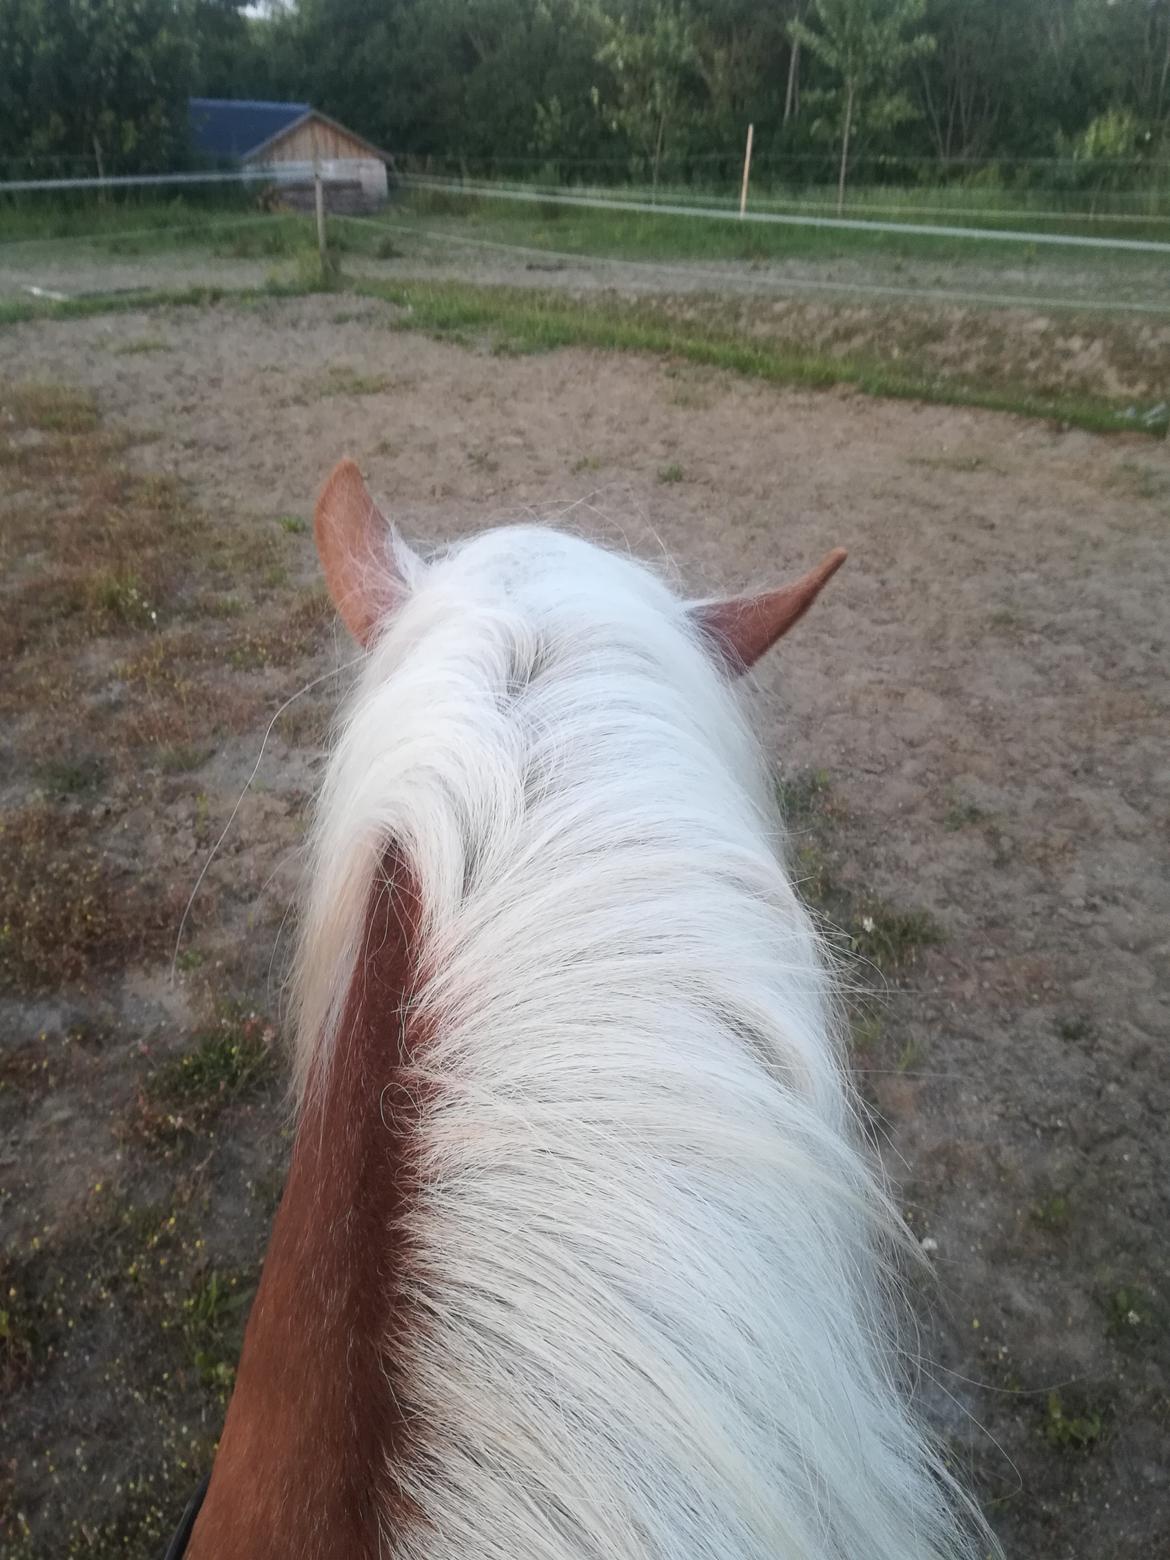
point(985, 690)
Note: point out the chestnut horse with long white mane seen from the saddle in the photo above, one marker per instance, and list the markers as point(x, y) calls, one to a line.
point(583, 1250)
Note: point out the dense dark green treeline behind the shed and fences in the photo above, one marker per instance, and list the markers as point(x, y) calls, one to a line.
point(609, 90)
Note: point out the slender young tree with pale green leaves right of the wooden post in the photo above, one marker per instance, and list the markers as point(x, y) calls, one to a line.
point(865, 43)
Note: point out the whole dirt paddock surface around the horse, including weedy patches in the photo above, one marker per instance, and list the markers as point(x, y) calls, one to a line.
point(973, 731)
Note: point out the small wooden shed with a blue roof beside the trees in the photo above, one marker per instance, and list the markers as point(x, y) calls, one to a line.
point(296, 136)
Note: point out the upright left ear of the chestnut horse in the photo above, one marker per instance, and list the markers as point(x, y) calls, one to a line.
point(358, 553)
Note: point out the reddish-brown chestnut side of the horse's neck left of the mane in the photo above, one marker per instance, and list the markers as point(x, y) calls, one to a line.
point(311, 1427)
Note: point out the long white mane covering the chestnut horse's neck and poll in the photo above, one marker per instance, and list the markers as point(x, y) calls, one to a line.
point(648, 1246)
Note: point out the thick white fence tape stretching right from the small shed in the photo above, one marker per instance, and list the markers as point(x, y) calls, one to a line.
point(782, 219)
